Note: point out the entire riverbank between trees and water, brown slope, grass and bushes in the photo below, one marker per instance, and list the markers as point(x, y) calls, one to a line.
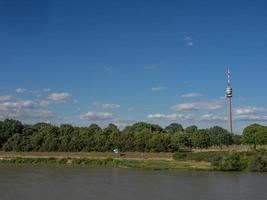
point(208, 160)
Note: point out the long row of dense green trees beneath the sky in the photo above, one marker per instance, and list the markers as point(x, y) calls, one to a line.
point(140, 137)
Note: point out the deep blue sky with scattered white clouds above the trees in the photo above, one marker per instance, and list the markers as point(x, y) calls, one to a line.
point(158, 61)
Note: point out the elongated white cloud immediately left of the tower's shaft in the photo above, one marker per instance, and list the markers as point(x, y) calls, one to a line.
point(212, 105)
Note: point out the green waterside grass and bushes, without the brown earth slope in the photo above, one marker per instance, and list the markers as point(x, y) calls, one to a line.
point(214, 160)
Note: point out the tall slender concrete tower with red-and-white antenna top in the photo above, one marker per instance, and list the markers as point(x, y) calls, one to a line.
point(229, 95)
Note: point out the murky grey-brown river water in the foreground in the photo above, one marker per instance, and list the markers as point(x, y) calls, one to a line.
point(75, 183)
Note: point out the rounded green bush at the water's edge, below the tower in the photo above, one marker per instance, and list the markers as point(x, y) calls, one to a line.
point(232, 162)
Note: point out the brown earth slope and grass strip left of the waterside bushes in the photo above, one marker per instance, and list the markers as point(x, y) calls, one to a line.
point(135, 160)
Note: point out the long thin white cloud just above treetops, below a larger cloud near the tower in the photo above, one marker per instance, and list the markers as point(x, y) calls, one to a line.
point(170, 117)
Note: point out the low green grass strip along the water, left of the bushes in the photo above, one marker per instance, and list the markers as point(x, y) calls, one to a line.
point(111, 162)
